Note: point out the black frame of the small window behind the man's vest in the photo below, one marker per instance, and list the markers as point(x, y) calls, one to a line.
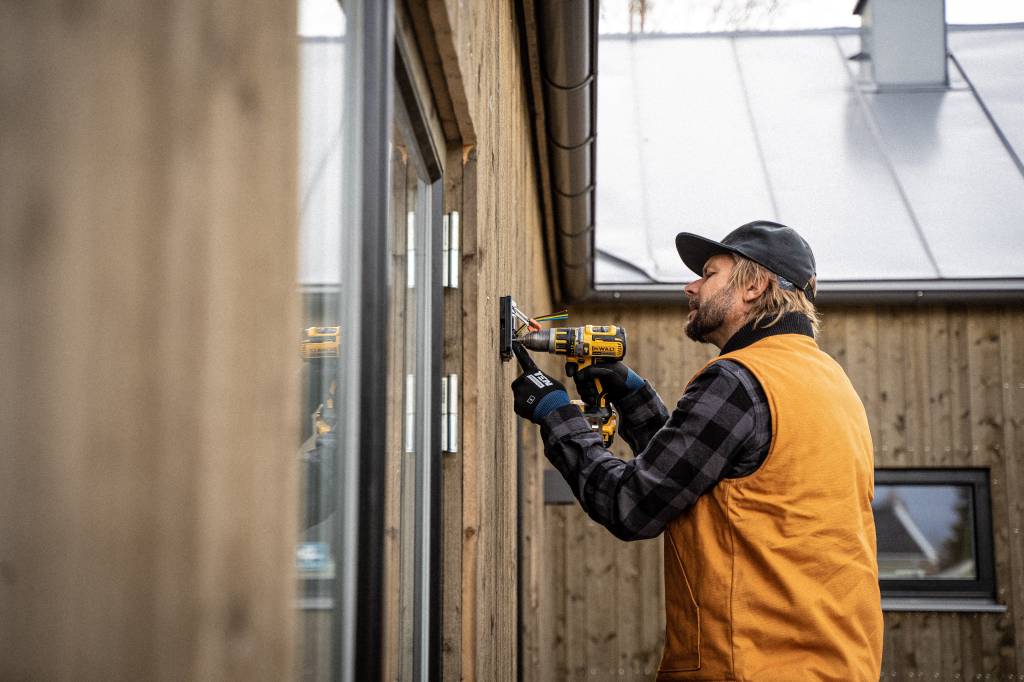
point(980, 588)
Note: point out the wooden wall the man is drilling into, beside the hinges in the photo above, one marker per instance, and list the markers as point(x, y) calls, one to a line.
point(491, 181)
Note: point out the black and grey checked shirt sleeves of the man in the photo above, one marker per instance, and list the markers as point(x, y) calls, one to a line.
point(717, 430)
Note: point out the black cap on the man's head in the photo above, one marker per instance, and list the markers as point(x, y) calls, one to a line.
point(777, 247)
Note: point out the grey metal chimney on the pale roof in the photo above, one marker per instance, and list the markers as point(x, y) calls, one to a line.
point(904, 44)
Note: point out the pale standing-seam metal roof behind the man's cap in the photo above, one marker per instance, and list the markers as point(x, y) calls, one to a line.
point(894, 191)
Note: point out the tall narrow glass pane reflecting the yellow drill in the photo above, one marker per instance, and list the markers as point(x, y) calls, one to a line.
point(322, 28)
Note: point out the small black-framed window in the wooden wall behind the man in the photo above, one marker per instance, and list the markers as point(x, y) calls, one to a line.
point(934, 534)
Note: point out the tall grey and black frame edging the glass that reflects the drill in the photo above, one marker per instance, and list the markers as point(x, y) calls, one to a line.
point(358, 633)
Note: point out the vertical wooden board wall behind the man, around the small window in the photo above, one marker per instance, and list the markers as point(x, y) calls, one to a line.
point(944, 388)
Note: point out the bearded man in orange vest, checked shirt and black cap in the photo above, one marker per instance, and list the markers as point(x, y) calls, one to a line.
point(761, 479)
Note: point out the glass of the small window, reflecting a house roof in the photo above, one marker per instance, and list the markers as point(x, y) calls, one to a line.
point(925, 532)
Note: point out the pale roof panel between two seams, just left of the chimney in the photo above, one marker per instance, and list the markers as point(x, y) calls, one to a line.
point(831, 177)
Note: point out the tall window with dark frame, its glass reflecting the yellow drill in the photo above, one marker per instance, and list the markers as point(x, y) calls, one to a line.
point(346, 115)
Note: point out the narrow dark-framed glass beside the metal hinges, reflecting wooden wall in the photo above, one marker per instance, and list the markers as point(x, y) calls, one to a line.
point(412, 576)
